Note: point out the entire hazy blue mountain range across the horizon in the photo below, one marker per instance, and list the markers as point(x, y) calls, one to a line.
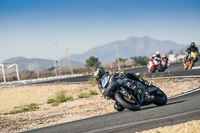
point(132, 46)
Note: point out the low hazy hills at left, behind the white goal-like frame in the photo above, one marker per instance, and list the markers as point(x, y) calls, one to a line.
point(36, 64)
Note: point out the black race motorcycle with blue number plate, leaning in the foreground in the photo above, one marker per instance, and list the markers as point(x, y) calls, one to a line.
point(130, 94)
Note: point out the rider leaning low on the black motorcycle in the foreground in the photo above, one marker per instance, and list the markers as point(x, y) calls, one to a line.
point(99, 72)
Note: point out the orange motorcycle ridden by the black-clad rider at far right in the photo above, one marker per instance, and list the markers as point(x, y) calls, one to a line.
point(190, 60)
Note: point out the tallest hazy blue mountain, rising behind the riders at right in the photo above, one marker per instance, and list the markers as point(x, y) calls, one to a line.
point(133, 46)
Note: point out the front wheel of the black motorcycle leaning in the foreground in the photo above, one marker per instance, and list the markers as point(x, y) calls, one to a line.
point(133, 105)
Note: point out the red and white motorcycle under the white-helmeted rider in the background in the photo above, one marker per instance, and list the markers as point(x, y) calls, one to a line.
point(153, 65)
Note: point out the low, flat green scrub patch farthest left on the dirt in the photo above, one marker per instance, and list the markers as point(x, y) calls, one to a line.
point(25, 108)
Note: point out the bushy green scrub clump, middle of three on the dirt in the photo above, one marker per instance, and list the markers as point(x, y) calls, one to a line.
point(59, 98)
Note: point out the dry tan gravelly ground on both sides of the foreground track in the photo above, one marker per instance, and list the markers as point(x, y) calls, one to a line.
point(79, 108)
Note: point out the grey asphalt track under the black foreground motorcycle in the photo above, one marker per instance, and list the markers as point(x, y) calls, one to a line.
point(179, 109)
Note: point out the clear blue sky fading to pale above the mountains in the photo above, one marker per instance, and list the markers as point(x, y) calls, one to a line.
point(29, 28)
